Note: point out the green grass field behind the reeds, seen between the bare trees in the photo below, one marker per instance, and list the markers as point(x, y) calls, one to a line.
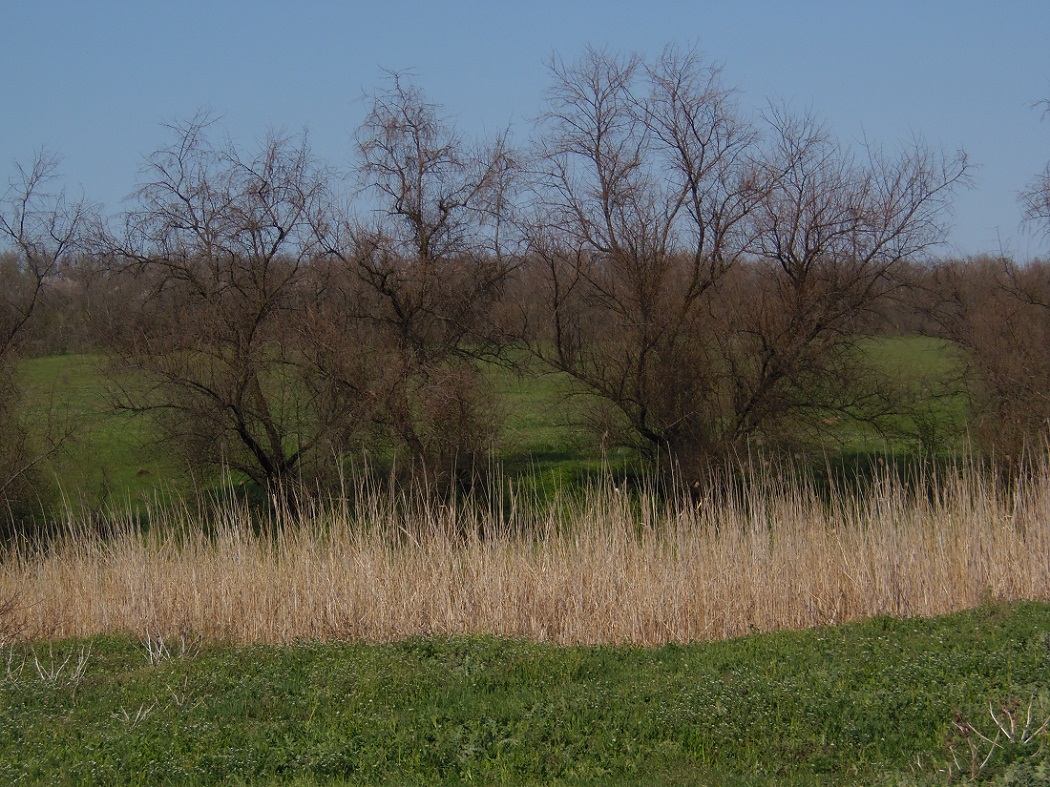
point(114, 458)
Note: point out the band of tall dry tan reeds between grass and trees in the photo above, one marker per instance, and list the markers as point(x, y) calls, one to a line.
point(606, 569)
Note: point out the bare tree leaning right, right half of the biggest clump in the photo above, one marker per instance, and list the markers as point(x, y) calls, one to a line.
point(828, 241)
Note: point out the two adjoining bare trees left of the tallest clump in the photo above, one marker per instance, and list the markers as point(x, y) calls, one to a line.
point(278, 331)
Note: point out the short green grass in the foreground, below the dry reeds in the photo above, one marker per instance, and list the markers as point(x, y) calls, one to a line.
point(866, 704)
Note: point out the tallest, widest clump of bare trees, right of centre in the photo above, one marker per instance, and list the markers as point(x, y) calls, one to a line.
point(701, 279)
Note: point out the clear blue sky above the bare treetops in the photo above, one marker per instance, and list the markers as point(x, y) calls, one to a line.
point(94, 80)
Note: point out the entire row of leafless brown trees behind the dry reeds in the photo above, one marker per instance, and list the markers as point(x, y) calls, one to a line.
point(703, 274)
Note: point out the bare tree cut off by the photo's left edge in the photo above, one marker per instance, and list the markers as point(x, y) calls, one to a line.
point(41, 230)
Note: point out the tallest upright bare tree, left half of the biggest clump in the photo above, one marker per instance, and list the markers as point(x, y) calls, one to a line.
point(645, 176)
